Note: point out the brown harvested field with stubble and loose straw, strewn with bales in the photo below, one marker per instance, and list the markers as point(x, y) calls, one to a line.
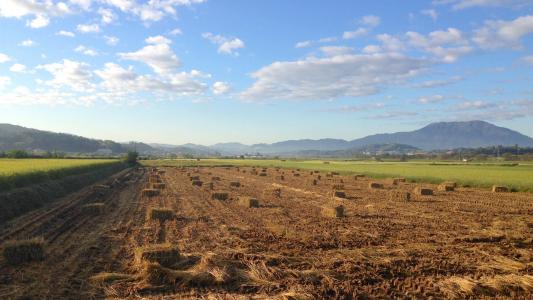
point(467, 243)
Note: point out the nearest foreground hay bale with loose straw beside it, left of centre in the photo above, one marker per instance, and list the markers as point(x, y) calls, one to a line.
point(166, 255)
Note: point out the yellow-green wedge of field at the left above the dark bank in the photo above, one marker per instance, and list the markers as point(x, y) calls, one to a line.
point(21, 172)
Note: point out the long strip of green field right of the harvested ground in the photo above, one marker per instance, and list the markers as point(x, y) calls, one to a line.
point(516, 176)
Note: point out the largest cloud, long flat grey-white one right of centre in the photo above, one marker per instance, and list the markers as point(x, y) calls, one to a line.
point(332, 77)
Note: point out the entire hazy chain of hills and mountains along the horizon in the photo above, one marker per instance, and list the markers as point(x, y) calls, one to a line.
point(435, 136)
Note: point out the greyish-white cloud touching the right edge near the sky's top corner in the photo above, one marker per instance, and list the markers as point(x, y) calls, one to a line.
point(504, 34)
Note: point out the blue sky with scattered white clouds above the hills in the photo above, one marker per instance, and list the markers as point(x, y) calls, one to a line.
point(210, 71)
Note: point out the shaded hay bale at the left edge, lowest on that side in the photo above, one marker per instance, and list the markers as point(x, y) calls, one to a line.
point(21, 251)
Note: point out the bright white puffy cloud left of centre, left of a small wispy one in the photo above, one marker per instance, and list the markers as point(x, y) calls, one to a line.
point(157, 55)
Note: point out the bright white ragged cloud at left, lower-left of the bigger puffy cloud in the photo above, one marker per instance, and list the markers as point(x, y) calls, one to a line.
point(73, 74)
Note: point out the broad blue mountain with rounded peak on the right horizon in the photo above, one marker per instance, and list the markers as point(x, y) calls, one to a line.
point(450, 135)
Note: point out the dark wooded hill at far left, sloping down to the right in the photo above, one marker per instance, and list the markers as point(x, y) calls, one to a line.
point(22, 138)
